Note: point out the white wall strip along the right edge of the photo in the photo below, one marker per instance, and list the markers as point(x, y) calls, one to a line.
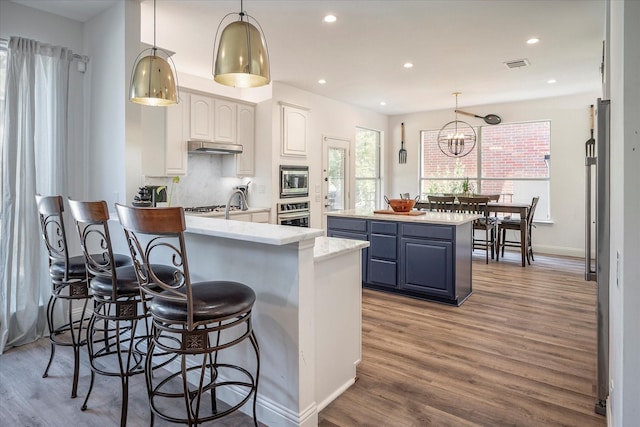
point(625, 205)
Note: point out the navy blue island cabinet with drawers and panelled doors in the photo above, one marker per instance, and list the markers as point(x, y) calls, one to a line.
point(424, 260)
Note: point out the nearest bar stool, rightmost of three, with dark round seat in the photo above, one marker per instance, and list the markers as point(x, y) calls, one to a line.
point(194, 320)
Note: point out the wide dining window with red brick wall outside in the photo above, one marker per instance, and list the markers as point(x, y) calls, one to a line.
point(508, 159)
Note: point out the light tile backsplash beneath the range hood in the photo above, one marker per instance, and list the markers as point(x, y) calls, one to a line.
point(203, 185)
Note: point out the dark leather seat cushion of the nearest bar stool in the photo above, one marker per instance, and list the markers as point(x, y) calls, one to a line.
point(211, 300)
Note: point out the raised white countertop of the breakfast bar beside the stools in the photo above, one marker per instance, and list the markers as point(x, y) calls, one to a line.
point(269, 234)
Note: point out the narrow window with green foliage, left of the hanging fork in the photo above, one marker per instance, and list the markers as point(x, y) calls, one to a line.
point(367, 176)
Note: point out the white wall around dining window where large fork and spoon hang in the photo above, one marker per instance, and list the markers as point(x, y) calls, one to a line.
point(569, 116)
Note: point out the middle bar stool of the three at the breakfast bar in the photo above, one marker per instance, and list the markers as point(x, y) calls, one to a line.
point(116, 344)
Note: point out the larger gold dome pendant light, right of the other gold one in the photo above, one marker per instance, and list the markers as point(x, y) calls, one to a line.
point(241, 58)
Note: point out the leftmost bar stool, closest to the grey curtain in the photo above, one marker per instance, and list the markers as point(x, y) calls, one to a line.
point(69, 282)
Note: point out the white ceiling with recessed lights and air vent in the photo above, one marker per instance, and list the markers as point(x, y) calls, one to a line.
point(456, 46)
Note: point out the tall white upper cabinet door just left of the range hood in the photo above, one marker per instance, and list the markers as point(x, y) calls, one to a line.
point(176, 138)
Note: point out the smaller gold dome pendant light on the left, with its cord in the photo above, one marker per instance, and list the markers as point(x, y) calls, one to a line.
point(153, 80)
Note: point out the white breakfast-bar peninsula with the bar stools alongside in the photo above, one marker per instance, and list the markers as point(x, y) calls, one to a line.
point(307, 315)
